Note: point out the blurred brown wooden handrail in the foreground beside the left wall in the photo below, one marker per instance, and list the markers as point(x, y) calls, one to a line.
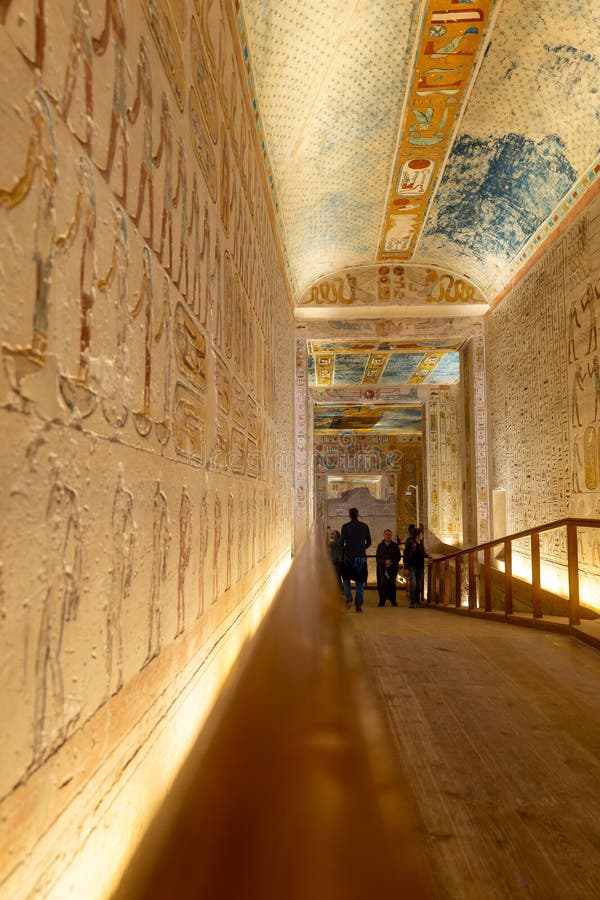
point(291, 791)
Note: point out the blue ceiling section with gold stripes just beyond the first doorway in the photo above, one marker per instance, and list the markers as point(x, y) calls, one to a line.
point(347, 363)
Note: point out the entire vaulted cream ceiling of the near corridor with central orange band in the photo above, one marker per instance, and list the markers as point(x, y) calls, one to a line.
point(443, 138)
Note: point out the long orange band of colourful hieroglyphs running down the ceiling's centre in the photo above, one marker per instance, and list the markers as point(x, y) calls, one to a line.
point(449, 53)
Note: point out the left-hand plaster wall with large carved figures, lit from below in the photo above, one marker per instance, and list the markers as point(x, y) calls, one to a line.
point(146, 408)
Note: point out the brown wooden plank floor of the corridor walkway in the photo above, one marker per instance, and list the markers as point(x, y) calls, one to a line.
point(497, 730)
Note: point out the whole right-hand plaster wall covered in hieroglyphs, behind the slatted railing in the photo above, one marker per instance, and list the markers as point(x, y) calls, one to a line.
point(543, 389)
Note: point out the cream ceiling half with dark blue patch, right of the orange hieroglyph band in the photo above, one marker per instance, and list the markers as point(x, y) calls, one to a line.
point(530, 131)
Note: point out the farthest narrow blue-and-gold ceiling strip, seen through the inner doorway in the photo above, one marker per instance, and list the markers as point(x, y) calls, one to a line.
point(405, 420)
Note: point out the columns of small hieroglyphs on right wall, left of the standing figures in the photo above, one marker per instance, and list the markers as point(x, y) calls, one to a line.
point(528, 398)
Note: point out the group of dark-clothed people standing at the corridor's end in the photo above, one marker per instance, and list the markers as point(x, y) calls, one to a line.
point(348, 551)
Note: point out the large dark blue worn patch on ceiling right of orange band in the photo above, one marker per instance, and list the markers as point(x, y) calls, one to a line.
point(498, 192)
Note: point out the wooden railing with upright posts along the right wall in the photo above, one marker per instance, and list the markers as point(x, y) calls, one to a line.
point(472, 579)
